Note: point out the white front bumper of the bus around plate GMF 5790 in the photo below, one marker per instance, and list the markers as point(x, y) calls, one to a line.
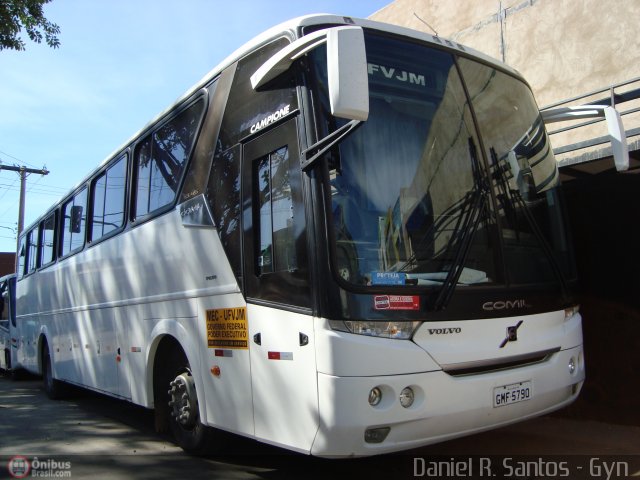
point(445, 406)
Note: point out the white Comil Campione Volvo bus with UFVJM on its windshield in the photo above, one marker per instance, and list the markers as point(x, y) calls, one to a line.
point(347, 239)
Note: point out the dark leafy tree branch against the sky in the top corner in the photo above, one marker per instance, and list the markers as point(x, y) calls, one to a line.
point(18, 14)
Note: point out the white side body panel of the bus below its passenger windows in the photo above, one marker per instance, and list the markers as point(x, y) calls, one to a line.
point(102, 308)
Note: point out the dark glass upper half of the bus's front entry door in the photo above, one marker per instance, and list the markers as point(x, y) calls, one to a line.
point(274, 241)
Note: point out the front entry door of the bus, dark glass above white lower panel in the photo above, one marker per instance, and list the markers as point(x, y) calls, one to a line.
point(276, 285)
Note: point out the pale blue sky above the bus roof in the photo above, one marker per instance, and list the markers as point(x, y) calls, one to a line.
point(120, 63)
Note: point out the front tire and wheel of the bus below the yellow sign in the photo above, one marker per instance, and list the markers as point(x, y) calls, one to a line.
point(182, 412)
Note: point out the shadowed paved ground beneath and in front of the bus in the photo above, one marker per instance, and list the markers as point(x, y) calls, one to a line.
point(104, 438)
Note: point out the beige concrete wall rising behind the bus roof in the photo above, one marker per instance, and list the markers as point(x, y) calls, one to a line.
point(563, 47)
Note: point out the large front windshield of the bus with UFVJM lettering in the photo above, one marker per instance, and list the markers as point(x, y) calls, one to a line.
point(450, 182)
